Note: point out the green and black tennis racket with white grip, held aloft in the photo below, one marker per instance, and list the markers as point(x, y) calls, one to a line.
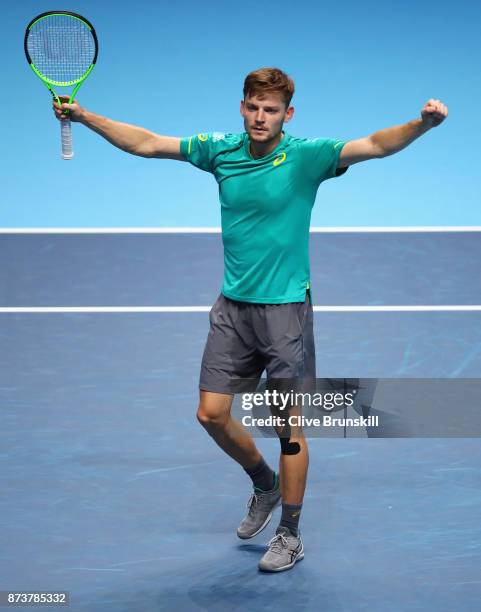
point(61, 48)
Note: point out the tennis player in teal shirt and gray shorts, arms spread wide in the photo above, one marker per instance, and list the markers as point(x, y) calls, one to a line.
point(262, 319)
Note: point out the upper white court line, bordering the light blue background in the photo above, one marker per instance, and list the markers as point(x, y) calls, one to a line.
point(217, 230)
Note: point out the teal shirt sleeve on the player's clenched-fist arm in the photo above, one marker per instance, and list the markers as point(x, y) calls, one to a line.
point(321, 156)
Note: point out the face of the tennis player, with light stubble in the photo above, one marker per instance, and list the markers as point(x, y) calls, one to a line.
point(264, 117)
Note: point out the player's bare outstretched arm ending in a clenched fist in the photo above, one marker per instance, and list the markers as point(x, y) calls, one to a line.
point(391, 140)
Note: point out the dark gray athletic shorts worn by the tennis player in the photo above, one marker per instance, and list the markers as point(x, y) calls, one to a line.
point(245, 339)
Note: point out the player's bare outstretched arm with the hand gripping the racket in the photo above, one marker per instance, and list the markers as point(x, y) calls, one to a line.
point(129, 138)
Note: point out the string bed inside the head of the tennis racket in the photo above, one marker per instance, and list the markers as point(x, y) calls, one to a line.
point(61, 47)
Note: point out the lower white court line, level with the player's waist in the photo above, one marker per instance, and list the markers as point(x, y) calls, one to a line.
point(180, 309)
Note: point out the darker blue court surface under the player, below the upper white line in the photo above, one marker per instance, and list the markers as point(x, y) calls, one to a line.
point(112, 491)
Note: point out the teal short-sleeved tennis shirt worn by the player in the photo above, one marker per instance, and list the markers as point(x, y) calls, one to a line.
point(266, 206)
